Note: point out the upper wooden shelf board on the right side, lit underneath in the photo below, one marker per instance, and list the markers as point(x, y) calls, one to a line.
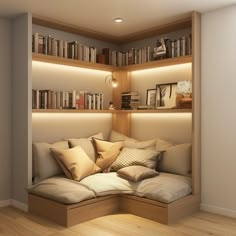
point(158, 63)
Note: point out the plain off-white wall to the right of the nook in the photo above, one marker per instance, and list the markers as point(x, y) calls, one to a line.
point(219, 111)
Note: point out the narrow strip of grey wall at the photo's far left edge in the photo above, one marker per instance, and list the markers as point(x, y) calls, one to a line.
point(5, 104)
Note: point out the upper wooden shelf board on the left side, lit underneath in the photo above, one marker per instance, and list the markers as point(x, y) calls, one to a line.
point(71, 62)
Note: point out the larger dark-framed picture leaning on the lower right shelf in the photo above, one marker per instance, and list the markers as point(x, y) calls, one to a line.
point(166, 96)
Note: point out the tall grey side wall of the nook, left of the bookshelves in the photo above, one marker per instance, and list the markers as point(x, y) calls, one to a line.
point(21, 106)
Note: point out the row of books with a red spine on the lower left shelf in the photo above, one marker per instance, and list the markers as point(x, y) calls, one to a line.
point(48, 99)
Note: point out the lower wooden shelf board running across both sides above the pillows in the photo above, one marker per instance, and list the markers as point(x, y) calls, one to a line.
point(111, 111)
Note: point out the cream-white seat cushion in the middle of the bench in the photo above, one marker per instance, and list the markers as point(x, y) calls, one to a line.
point(108, 183)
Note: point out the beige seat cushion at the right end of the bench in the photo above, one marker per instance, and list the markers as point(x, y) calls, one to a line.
point(165, 188)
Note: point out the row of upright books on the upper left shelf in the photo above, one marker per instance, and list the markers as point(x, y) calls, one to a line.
point(56, 47)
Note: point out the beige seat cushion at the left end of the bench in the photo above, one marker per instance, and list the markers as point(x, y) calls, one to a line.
point(62, 190)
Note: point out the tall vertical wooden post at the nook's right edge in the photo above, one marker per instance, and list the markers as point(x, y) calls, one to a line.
point(196, 124)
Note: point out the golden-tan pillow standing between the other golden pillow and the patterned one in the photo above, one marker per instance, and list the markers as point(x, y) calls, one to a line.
point(107, 152)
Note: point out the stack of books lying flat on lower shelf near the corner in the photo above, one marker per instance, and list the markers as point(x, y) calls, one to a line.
point(130, 100)
